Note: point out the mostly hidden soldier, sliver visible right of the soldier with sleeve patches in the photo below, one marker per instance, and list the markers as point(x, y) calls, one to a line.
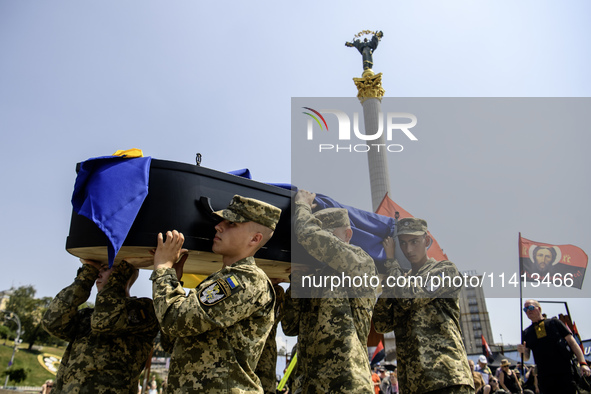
point(267, 366)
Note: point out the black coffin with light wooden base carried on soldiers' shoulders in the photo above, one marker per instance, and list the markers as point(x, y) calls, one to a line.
point(181, 197)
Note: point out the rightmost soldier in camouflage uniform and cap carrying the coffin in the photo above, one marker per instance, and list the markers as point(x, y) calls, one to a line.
point(424, 315)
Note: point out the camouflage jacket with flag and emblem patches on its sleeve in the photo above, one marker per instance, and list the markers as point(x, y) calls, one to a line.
point(219, 329)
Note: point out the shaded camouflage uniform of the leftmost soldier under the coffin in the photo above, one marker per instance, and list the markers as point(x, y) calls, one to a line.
point(110, 343)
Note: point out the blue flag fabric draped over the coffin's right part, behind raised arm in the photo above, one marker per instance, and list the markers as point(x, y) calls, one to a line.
point(370, 229)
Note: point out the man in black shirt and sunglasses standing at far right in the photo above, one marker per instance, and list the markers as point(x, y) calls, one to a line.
point(543, 338)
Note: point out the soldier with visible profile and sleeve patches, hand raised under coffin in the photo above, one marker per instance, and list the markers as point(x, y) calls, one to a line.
point(219, 328)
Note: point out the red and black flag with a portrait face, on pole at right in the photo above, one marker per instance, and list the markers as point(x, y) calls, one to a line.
point(557, 264)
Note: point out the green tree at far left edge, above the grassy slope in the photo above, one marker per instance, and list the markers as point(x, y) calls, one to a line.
point(30, 310)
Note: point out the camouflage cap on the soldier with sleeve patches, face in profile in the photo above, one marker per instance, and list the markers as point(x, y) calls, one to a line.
point(244, 209)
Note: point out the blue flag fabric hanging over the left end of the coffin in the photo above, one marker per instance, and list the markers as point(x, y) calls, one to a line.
point(110, 191)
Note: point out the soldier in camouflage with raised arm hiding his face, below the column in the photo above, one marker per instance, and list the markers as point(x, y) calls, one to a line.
point(333, 326)
